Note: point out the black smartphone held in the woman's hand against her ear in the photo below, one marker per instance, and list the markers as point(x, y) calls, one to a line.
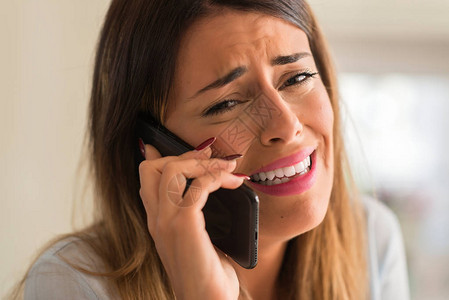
point(231, 216)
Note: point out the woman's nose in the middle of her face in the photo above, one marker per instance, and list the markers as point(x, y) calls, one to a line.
point(279, 124)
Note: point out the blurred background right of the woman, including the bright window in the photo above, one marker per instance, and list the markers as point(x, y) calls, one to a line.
point(393, 63)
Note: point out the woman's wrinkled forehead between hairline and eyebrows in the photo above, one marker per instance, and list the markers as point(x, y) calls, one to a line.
point(217, 44)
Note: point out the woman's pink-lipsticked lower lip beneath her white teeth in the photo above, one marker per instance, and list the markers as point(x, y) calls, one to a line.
point(297, 185)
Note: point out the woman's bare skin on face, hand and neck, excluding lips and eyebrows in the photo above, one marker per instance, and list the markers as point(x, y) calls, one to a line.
point(301, 117)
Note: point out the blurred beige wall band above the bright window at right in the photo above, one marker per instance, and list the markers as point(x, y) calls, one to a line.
point(387, 36)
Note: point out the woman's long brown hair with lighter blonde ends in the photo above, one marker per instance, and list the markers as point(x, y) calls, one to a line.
point(134, 68)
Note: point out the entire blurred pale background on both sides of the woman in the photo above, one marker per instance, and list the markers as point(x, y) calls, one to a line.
point(392, 58)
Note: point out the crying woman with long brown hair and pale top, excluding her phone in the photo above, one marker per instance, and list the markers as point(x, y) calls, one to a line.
point(208, 70)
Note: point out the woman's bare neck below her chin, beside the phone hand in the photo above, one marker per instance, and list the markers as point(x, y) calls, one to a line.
point(260, 282)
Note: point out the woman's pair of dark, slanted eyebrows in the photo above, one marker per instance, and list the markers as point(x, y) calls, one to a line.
point(239, 71)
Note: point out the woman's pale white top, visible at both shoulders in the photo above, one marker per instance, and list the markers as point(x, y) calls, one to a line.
point(52, 278)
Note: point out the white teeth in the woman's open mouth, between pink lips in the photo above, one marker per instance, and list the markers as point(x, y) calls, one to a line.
point(283, 175)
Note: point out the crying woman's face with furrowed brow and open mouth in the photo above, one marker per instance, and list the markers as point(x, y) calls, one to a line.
point(251, 81)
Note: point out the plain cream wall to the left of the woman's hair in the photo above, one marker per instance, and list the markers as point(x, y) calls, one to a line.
point(46, 53)
